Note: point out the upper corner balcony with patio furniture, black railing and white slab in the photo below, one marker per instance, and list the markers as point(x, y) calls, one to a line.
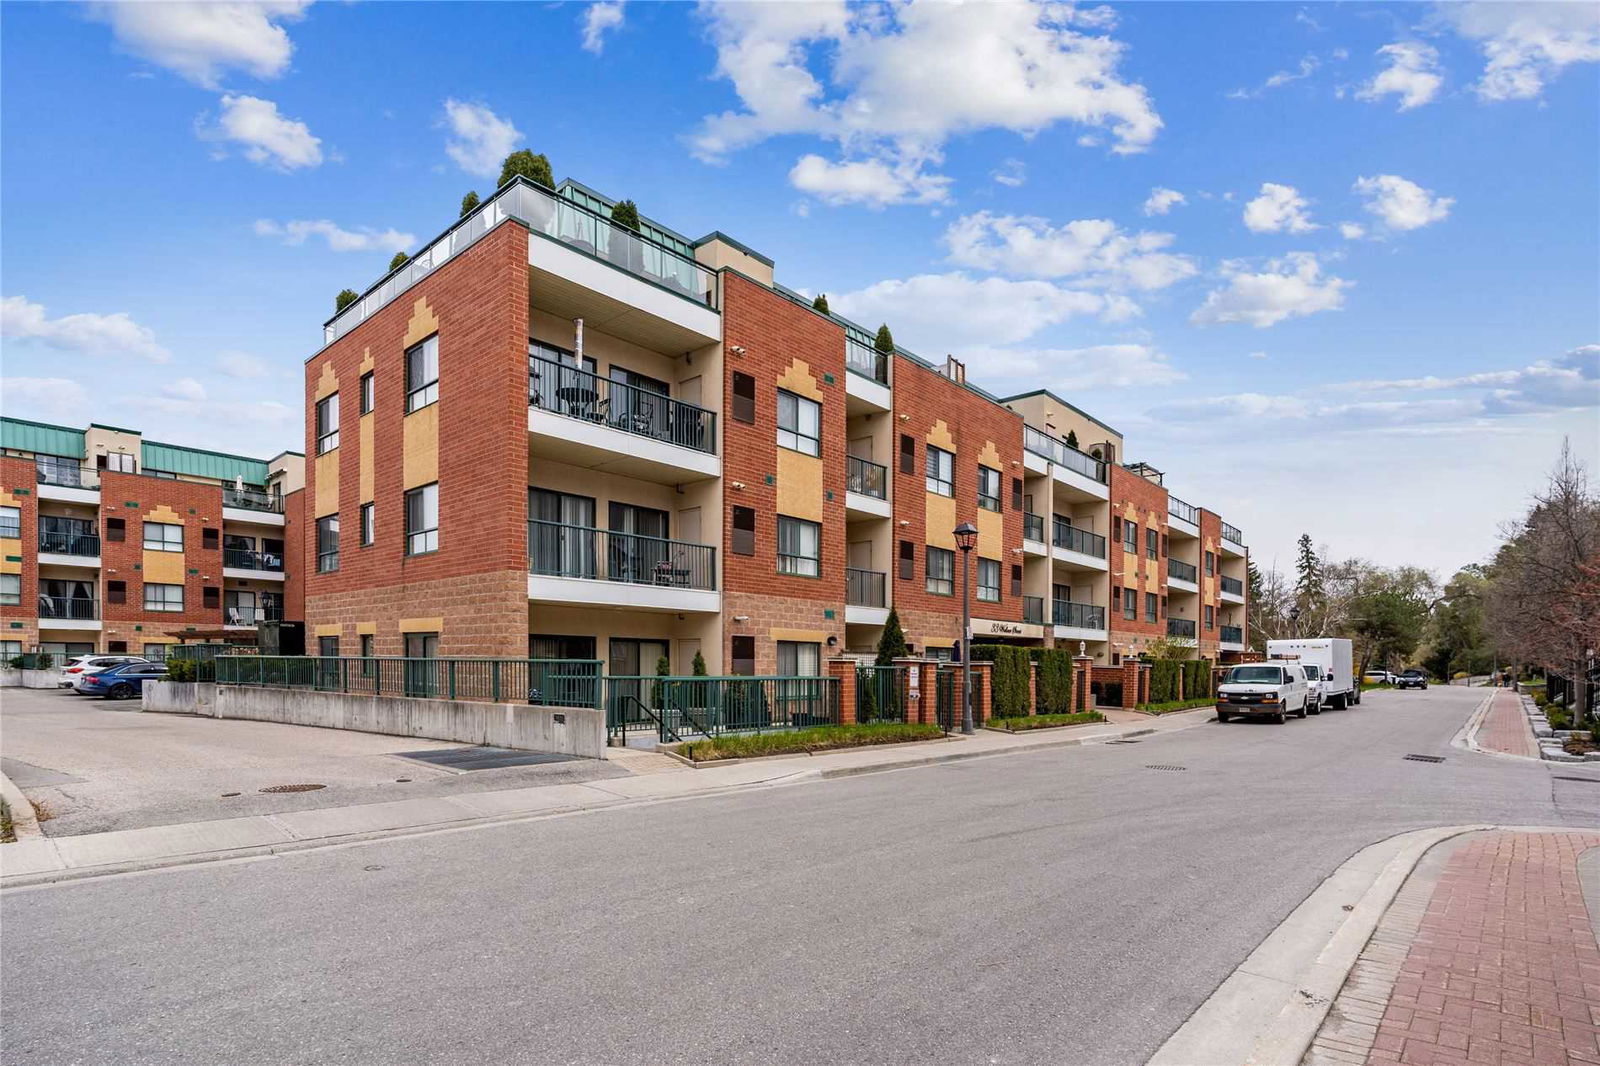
point(586, 420)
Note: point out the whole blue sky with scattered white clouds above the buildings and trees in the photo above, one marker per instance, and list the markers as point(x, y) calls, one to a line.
point(1334, 268)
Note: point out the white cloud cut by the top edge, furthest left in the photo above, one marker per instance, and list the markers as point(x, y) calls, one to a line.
point(201, 41)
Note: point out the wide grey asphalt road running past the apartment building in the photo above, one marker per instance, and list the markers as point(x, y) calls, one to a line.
point(1060, 907)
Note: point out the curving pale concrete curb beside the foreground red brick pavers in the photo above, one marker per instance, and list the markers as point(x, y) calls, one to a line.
point(1268, 1012)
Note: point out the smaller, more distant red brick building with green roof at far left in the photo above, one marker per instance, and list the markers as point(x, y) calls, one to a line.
point(114, 543)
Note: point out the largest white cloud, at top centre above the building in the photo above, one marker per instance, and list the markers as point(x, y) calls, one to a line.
point(890, 86)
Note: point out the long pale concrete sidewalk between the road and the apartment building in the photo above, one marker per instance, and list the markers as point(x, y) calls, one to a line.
point(63, 859)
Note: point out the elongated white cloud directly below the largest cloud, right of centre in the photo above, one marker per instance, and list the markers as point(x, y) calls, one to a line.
point(1094, 250)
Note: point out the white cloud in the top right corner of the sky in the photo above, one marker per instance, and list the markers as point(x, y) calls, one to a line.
point(1526, 46)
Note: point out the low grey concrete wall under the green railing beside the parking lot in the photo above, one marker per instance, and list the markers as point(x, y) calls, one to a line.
point(580, 731)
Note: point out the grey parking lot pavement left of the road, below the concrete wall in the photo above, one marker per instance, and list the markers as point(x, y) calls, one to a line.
point(97, 766)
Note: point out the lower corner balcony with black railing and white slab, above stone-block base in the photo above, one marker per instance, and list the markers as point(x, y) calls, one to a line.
point(575, 564)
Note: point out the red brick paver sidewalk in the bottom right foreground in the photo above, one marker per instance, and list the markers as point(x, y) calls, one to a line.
point(1503, 968)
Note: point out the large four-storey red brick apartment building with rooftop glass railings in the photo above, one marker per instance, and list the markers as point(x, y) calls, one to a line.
point(559, 438)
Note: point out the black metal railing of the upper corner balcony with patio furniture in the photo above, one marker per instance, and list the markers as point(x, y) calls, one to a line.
point(590, 398)
